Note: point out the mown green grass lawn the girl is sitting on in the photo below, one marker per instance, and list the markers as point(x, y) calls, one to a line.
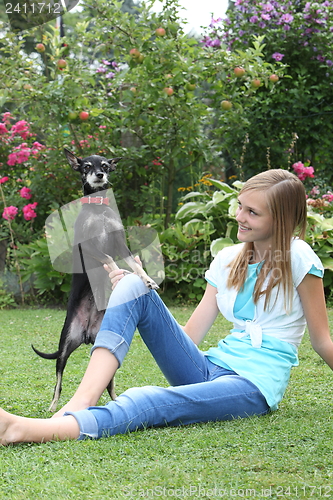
point(287, 454)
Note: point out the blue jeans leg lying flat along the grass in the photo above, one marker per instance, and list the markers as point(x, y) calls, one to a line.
point(227, 397)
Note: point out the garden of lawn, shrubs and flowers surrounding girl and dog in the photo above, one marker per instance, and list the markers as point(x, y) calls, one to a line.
point(191, 117)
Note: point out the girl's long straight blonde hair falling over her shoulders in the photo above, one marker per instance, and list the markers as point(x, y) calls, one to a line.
point(286, 200)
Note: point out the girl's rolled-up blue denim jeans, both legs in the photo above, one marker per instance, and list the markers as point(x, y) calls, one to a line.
point(199, 390)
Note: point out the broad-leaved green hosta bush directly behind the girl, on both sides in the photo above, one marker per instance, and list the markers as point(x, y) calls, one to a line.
point(206, 223)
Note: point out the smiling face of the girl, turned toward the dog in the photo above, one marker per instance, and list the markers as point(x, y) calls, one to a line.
point(255, 223)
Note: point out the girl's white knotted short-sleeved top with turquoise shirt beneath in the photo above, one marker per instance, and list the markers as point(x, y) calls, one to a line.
point(262, 349)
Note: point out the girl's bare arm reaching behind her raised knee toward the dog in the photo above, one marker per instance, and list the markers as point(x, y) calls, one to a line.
point(203, 316)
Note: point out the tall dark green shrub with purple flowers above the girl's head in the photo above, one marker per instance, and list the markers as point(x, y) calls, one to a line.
point(299, 35)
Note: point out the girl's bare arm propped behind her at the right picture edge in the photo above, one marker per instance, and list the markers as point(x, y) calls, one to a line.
point(311, 292)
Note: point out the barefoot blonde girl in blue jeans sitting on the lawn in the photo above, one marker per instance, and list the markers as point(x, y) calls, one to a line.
point(269, 286)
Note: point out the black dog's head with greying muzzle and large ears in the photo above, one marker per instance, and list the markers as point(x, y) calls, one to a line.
point(94, 170)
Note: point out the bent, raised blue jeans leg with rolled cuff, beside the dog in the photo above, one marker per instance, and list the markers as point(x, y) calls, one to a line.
point(133, 306)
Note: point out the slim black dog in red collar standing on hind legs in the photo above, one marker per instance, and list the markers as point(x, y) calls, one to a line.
point(99, 238)
